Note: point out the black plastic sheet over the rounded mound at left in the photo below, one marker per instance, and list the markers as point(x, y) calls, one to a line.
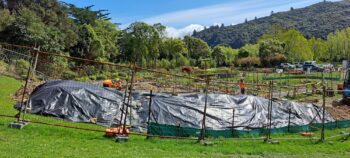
point(76, 101)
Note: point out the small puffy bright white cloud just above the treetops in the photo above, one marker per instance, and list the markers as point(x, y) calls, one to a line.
point(178, 33)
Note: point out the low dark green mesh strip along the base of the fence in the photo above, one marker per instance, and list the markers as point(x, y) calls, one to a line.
point(170, 130)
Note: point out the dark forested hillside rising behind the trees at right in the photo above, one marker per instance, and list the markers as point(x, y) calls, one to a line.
point(317, 20)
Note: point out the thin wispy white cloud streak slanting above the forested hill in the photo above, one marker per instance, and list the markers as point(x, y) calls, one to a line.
point(227, 13)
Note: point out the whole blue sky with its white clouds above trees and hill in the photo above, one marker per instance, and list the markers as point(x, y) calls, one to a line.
point(183, 16)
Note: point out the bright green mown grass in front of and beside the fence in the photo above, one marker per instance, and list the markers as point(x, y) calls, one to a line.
point(37, 140)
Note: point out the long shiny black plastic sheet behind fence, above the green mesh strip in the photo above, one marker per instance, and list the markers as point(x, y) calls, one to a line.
point(243, 112)
